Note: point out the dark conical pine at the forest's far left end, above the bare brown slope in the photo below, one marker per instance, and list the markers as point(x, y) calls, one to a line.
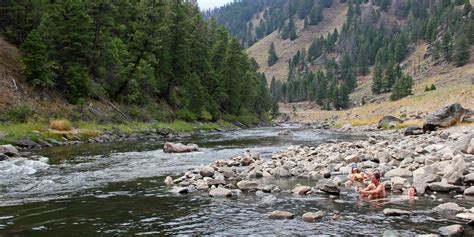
point(35, 60)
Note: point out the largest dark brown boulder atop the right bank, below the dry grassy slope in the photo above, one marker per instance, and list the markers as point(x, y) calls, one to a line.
point(445, 117)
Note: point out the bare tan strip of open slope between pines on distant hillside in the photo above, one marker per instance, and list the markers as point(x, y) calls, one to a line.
point(334, 17)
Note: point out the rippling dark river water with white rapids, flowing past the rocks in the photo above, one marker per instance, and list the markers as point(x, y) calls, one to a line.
point(117, 190)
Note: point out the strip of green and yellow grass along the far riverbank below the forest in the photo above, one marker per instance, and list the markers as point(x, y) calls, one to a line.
point(12, 132)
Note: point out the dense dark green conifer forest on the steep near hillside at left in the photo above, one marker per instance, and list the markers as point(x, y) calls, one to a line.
point(150, 54)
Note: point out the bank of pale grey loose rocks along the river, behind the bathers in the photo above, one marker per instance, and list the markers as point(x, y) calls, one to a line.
point(434, 162)
